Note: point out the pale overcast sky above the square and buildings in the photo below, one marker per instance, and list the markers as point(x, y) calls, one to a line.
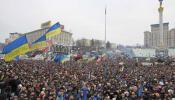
point(126, 19)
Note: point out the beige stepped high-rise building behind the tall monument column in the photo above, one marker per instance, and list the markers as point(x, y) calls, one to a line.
point(152, 39)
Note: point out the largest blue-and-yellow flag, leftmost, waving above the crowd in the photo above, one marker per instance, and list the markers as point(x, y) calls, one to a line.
point(17, 47)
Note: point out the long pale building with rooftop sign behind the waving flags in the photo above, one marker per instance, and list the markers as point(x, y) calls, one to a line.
point(64, 38)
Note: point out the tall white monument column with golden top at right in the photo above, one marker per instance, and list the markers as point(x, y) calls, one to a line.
point(161, 41)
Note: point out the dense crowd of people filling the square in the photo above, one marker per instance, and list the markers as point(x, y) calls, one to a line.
point(108, 79)
